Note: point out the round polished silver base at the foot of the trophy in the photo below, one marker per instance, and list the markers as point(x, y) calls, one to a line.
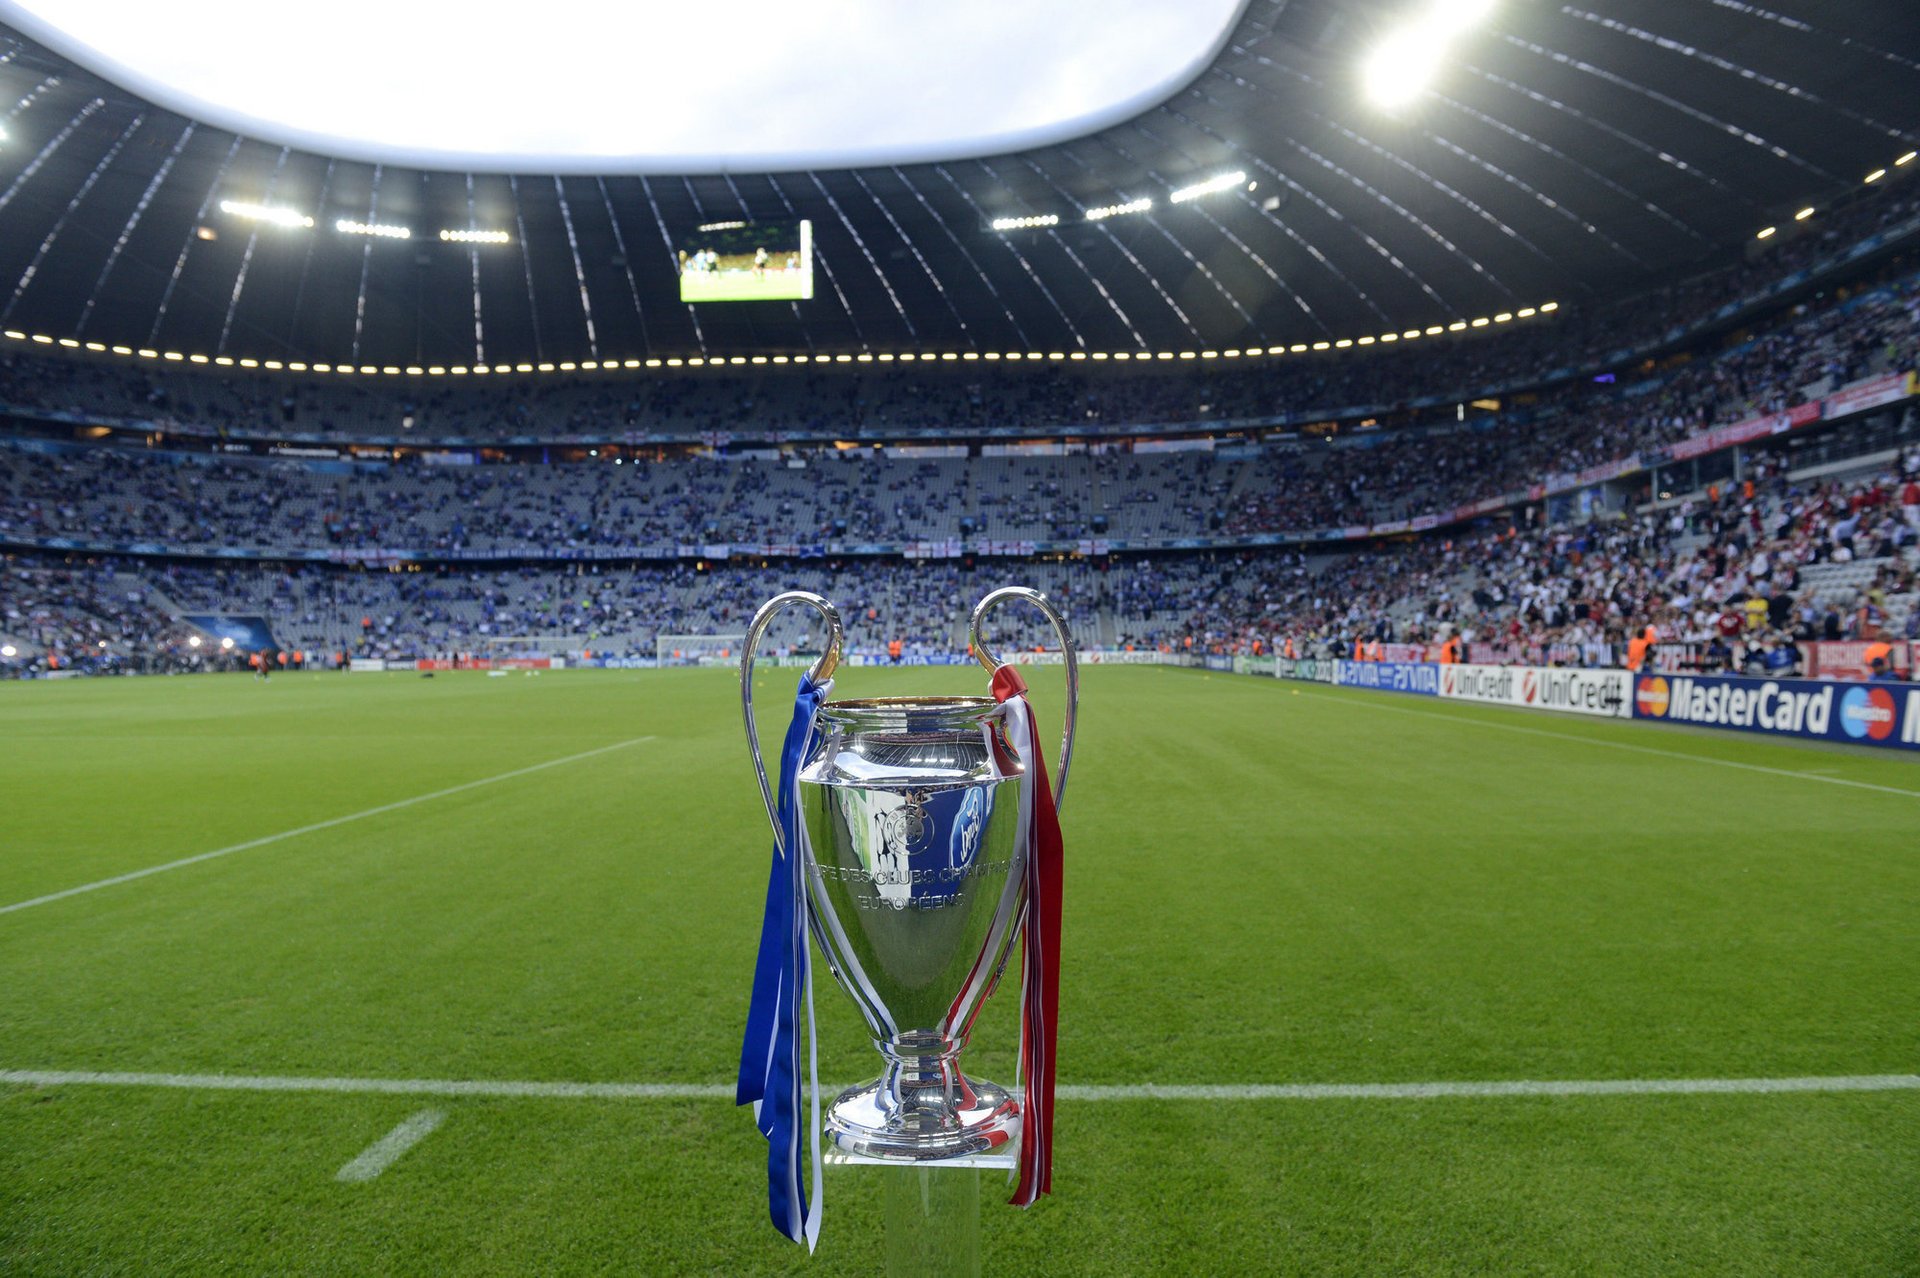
point(976, 1125)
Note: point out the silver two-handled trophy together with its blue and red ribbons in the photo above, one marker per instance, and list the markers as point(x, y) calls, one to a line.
point(917, 840)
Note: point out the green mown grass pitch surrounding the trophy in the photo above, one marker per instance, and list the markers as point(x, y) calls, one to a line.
point(1266, 884)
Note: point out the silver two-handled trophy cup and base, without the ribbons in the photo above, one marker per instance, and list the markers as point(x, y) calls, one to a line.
point(915, 872)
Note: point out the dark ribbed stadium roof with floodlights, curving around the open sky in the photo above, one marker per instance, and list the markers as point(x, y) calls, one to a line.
point(1560, 153)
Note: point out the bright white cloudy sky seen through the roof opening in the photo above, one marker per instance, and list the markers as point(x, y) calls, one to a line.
point(769, 85)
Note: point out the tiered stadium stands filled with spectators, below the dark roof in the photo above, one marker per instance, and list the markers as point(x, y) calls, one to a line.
point(114, 540)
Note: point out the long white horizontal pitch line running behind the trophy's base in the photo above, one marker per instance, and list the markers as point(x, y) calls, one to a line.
point(1074, 1093)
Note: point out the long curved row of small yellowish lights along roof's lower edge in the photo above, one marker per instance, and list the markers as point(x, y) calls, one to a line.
point(715, 362)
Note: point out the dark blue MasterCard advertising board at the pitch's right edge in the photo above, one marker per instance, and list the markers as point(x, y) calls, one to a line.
point(1883, 715)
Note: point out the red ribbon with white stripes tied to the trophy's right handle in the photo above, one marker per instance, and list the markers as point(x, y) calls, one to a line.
point(1040, 993)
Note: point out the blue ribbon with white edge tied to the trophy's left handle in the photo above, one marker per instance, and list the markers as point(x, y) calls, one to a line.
point(771, 1054)
